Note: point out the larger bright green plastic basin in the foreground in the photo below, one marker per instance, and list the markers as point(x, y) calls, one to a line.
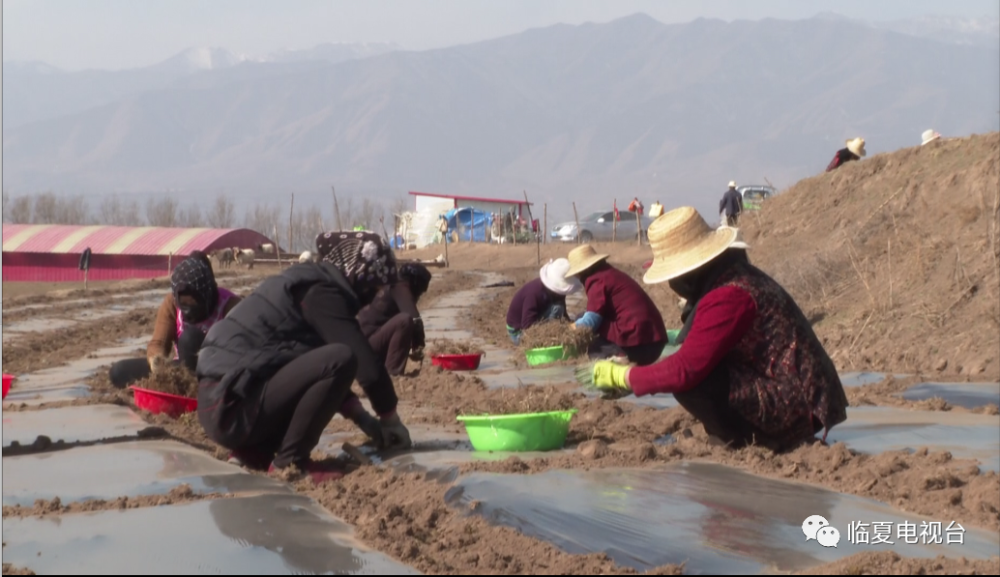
point(526, 432)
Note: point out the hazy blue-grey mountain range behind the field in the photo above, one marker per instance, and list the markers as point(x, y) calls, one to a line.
point(585, 113)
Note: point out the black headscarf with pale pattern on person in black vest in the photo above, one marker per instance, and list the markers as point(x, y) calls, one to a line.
point(362, 256)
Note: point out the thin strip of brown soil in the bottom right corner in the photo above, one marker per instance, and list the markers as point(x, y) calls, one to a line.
point(890, 563)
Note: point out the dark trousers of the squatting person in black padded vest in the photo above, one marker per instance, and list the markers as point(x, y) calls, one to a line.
point(299, 402)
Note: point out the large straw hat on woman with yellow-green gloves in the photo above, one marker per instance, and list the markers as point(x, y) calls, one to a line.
point(682, 241)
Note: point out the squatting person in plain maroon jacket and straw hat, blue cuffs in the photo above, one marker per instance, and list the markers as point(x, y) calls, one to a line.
point(625, 319)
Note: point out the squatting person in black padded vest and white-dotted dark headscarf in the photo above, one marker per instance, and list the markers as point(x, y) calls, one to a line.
point(275, 371)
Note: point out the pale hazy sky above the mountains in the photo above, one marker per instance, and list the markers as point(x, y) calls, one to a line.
point(111, 34)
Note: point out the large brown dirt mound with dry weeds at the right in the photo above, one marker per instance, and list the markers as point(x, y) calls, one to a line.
point(896, 259)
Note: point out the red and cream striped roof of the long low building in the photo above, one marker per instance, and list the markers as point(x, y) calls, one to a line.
point(148, 240)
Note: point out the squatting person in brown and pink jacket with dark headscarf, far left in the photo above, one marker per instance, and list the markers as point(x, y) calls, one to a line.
point(195, 303)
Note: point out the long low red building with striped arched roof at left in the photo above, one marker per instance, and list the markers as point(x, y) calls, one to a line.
point(51, 253)
